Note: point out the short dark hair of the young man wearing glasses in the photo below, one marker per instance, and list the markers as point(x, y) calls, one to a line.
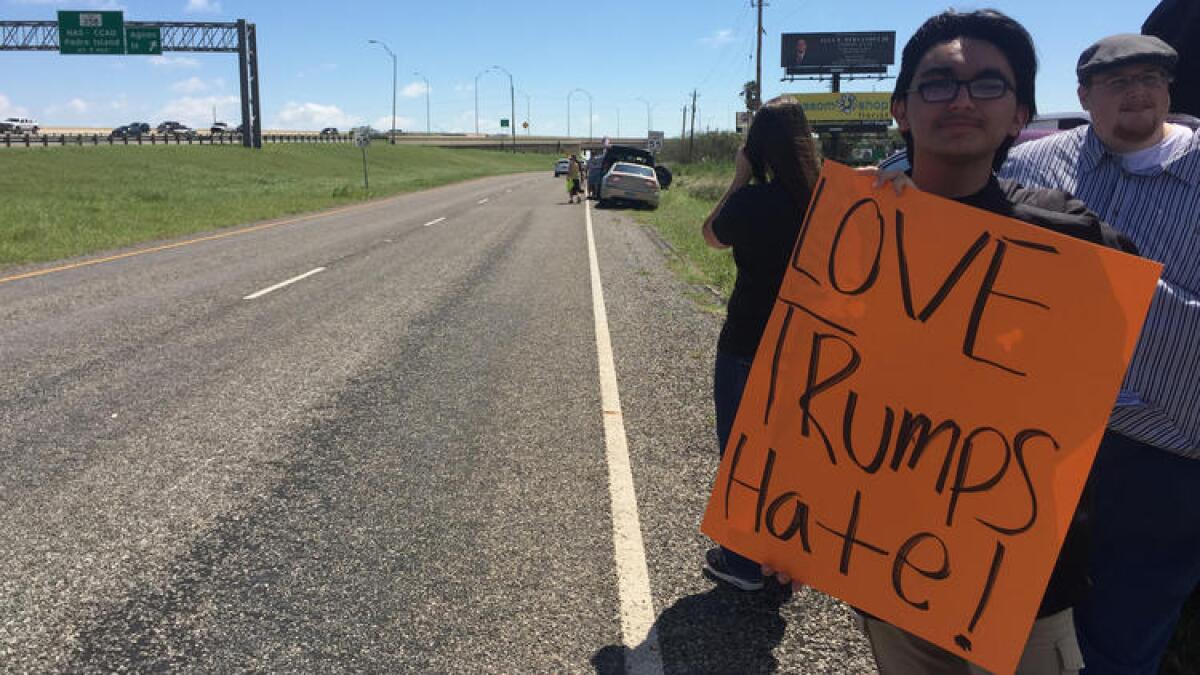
point(988, 26)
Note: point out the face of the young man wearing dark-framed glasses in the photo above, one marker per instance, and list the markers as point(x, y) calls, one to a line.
point(969, 127)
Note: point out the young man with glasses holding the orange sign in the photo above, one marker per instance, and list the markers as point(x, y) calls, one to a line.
point(965, 89)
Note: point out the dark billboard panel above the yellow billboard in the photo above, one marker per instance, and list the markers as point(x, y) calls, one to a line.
point(811, 53)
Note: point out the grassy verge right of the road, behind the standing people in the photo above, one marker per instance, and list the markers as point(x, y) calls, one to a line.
point(682, 212)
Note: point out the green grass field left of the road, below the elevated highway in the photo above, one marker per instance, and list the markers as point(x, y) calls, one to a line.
point(65, 202)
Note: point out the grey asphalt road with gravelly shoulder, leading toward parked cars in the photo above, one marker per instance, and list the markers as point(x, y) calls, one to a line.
point(397, 464)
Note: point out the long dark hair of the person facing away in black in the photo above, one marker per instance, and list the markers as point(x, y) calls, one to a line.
point(779, 146)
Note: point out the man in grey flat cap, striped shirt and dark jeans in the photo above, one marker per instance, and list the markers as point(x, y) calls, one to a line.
point(1142, 175)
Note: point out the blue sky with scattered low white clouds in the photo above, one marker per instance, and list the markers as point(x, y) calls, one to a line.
point(628, 64)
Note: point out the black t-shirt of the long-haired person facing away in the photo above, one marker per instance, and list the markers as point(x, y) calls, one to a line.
point(761, 223)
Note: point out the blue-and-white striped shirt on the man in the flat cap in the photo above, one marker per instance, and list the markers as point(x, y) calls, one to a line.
point(1160, 401)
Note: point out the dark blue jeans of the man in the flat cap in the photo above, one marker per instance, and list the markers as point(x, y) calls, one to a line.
point(1145, 558)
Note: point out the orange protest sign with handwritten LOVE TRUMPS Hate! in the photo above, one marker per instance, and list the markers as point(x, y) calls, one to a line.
point(925, 409)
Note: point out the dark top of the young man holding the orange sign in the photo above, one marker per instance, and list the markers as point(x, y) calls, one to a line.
point(1064, 214)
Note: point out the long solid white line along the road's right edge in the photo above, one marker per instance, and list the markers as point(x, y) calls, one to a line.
point(633, 576)
